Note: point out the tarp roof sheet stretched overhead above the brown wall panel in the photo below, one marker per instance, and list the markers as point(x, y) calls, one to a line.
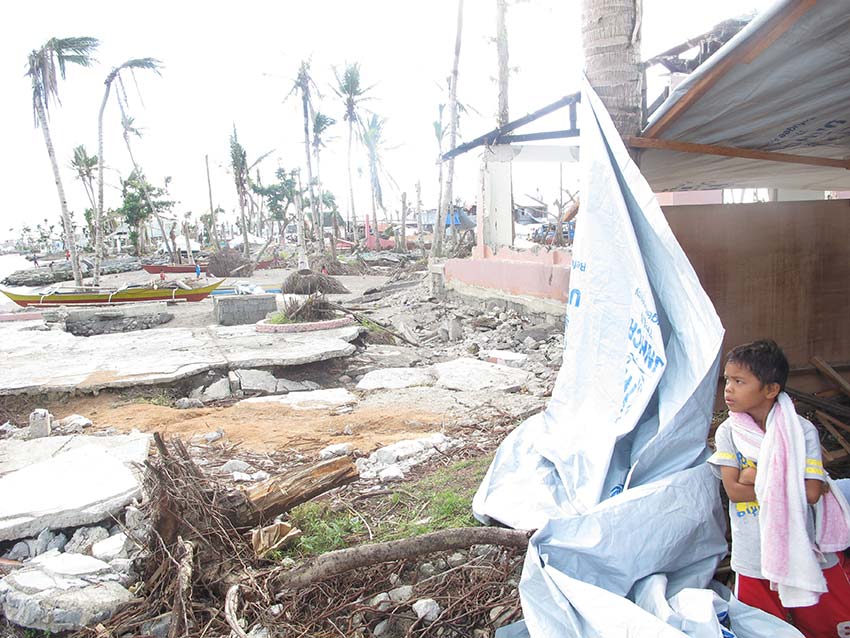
point(793, 96)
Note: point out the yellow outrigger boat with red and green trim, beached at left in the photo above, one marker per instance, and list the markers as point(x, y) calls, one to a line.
point(60, 296)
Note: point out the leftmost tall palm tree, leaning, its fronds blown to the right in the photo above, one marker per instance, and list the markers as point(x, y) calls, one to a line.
point(41, 68)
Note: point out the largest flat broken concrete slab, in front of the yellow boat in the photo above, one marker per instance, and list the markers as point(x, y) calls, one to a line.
point(152, 357)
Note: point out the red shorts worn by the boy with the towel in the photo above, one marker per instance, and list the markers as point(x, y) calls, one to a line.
point(829, 618)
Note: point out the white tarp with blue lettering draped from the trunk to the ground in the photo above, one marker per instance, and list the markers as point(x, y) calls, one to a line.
point(613, 472)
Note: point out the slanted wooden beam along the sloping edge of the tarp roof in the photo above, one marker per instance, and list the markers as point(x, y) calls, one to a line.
point(745, 53)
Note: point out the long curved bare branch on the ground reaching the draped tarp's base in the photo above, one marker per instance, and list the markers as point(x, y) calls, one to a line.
point(342, 560)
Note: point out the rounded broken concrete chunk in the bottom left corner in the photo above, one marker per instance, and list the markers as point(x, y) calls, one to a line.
point(61, 592)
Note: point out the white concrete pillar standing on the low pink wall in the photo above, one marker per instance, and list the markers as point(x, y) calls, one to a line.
point(495, 201)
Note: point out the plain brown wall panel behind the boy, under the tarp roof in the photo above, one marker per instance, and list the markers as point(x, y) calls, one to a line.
point(779, 270)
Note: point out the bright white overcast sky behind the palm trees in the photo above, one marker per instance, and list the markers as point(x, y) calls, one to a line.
point(227, 64)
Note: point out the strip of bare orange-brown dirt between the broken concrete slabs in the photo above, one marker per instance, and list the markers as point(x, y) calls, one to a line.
point(259, 427)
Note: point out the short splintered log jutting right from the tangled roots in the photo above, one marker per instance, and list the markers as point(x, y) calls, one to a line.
point(279, 494)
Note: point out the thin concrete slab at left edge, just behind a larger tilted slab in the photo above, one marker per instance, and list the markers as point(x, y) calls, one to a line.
point(126, 448)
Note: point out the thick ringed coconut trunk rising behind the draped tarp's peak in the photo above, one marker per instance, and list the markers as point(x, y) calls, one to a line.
point(611, 39)
